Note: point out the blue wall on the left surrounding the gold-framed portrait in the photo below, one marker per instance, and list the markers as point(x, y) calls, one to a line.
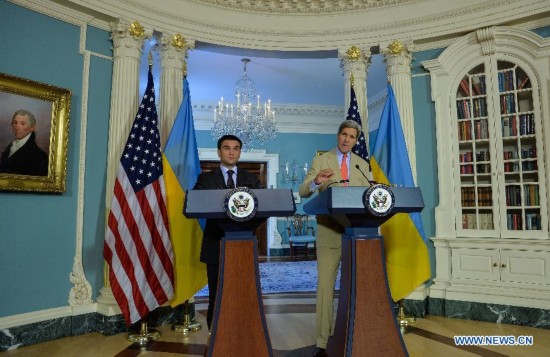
point(38, 231)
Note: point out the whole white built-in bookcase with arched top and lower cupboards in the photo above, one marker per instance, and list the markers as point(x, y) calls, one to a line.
point(492, 113)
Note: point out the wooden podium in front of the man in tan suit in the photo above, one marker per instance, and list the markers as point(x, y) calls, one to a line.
point(366, 324)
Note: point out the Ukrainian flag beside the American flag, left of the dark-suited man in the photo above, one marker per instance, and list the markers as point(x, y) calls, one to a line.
point(181, 168)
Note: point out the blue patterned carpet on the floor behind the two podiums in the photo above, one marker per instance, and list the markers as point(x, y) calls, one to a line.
point(286, 277)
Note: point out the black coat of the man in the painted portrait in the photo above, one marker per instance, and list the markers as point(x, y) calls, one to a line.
point(28, 160)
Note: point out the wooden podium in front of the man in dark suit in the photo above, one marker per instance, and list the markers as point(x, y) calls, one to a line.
point(238, 325)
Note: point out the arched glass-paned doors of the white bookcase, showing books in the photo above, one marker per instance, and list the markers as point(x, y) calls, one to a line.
point(496, 128)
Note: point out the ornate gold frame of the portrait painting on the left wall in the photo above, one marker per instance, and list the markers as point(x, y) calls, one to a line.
point(60, 100)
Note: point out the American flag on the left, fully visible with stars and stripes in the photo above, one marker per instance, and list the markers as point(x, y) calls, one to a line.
point(137, 244)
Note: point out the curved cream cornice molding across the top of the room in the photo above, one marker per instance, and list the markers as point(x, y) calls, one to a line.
point(291, 30)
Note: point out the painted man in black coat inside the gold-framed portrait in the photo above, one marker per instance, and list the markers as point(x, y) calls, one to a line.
point(23, 156)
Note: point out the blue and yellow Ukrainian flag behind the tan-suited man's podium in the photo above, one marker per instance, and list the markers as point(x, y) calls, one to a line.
point(407, 259)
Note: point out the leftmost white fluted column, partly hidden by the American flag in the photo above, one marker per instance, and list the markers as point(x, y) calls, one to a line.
point(128, 41)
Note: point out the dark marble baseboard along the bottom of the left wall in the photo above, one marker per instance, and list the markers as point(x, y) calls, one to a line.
point(19, 336)
